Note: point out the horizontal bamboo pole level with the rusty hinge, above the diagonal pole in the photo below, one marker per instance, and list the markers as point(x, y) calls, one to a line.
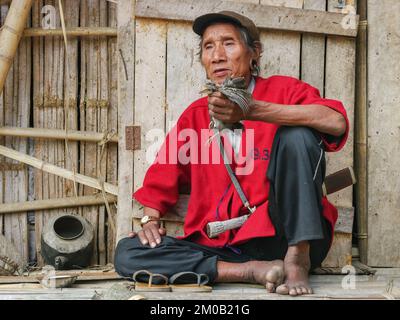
point(55, 134)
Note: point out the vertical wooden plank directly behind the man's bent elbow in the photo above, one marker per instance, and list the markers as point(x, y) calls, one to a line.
point(340, 85)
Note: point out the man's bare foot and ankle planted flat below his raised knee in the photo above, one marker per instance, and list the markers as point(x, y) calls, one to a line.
point(297, 266)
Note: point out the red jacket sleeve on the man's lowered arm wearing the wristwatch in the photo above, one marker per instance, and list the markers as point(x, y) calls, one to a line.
point(160, 188)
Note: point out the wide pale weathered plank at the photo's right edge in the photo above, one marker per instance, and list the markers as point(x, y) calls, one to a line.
point(383, 133)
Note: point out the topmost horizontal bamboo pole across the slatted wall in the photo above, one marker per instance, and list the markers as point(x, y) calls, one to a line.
point(72, 32)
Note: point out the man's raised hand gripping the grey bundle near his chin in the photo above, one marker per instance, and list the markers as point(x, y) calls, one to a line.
point(223, 109)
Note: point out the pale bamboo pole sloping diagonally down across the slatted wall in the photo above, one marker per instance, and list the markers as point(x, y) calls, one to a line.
point(61, 172)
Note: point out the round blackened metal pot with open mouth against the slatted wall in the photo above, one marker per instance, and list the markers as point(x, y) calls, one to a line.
point(67, 242)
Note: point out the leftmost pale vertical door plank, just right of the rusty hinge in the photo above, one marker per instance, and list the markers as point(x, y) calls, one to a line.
point(150, 90)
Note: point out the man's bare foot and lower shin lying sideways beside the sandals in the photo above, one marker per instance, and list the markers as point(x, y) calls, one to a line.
point(267, 273)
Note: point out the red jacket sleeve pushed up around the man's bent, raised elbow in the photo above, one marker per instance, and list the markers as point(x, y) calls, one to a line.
point(303, 93)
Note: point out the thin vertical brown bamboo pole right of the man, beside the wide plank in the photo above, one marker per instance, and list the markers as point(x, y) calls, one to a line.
point(360, 133)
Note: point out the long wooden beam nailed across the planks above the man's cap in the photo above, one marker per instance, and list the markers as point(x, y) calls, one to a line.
point(265, 17)
